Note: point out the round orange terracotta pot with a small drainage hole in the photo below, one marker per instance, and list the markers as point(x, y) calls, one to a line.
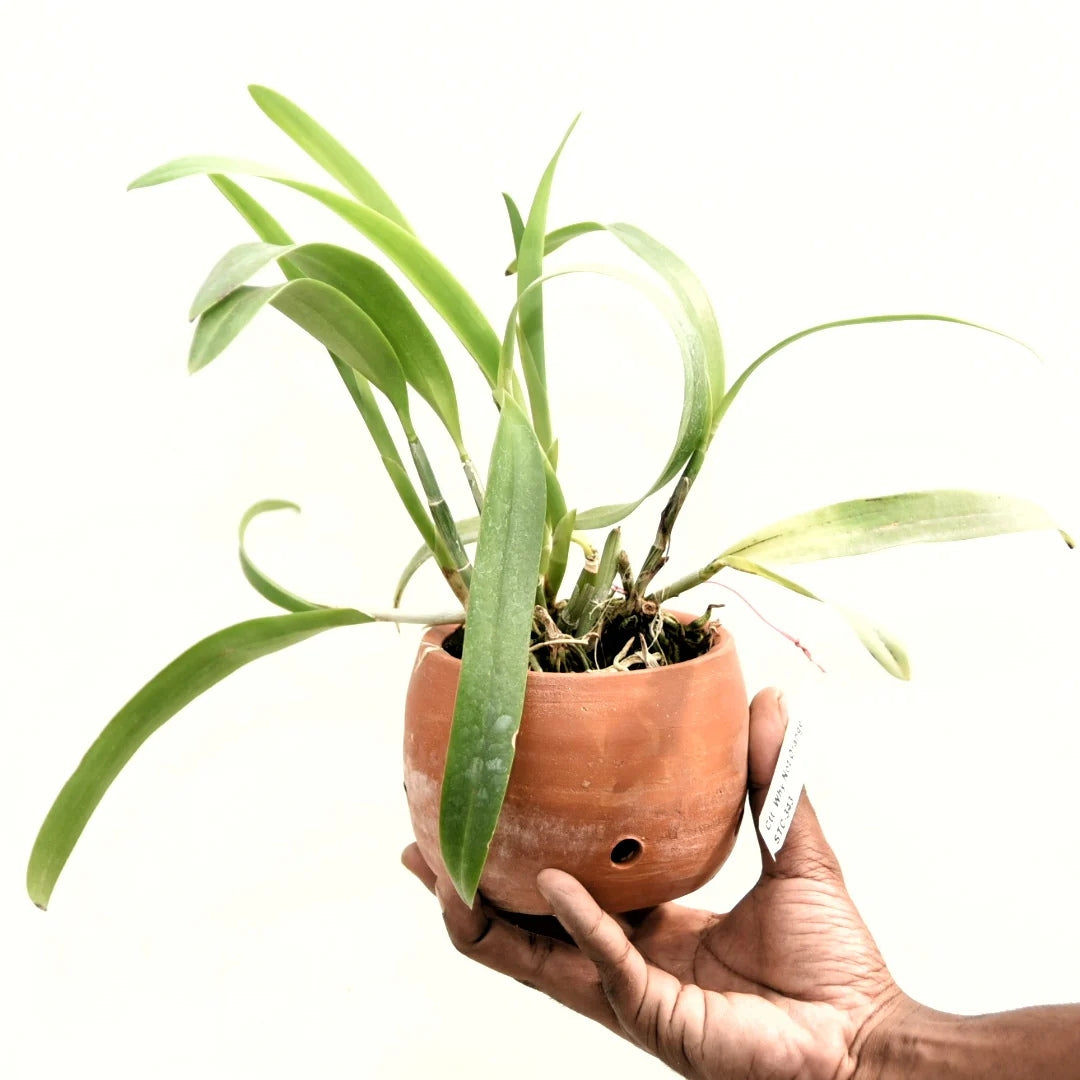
point(632, 782)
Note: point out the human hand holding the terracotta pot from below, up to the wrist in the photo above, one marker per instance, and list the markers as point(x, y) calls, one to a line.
point(790, 983)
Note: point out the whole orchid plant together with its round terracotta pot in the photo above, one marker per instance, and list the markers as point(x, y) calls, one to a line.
point(555, 715)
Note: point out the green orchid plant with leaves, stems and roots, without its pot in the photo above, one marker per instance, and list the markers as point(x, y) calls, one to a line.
point(510, 596)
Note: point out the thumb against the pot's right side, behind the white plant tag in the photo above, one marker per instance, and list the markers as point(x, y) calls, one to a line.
point(806, 853)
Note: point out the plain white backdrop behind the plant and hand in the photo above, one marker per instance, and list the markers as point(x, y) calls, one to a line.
point(236, 908)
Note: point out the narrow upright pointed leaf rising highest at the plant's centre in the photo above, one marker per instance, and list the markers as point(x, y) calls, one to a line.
point(531, 301)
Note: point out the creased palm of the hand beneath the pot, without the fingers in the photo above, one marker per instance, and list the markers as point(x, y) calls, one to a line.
point(800, 997)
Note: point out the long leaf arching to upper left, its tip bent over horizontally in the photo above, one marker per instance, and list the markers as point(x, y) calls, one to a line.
point(435, 282)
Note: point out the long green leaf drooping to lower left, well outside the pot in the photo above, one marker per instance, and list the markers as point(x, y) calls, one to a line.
point(167, 694)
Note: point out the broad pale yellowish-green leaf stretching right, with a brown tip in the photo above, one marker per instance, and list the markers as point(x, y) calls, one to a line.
point(867, 525)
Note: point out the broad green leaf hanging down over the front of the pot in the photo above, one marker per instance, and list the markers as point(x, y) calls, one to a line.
point(495, 658)
